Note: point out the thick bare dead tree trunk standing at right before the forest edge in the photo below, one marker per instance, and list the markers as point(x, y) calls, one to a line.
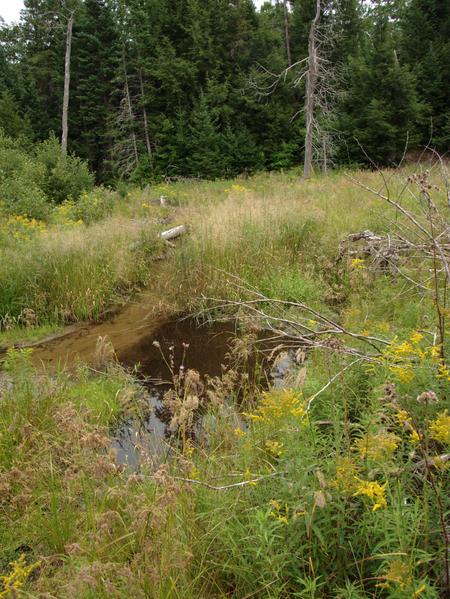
point(311, 83)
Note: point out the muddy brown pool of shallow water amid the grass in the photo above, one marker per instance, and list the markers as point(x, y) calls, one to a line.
point(133, 333)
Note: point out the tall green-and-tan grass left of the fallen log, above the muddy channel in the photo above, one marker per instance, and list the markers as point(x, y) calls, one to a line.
point(74, 274)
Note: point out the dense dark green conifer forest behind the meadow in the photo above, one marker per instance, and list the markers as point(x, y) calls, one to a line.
point(213, 88)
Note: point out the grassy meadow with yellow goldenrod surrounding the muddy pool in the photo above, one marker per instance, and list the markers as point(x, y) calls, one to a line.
point(335, 485)
